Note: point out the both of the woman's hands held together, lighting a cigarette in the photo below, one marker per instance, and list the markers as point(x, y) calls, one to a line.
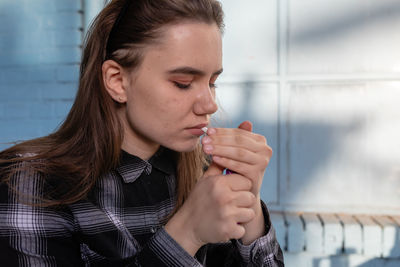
point(221, 206)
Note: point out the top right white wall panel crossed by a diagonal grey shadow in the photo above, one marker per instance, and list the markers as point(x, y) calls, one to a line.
point(326, 37)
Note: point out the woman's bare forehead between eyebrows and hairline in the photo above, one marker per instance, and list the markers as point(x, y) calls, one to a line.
point(191, 43)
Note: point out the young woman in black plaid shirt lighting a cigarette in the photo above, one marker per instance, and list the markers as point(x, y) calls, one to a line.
point(125, 180)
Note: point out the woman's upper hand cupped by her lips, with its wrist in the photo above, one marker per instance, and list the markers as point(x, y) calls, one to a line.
point(245, 153)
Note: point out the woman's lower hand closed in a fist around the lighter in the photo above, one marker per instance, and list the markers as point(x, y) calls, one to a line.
point(215, 211)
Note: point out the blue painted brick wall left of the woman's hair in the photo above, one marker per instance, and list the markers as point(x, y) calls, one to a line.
point(40, 50)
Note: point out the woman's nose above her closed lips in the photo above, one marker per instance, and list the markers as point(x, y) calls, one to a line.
point(205, 101)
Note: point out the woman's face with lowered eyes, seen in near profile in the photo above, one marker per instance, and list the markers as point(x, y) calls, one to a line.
point(171, 96)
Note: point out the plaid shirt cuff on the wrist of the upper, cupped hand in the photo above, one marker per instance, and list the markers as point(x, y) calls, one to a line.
point(263, 249)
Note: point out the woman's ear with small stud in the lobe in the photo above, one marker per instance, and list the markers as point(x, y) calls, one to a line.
point(113, 77)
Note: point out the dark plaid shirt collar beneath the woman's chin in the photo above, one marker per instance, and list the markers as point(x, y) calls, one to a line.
point(132, 167)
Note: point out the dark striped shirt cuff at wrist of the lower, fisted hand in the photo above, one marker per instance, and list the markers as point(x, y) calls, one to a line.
point(169, 251)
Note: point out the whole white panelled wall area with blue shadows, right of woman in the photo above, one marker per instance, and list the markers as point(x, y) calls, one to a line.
point(321, 79)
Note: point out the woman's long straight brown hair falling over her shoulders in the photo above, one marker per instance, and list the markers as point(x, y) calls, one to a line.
point(87, 144)
